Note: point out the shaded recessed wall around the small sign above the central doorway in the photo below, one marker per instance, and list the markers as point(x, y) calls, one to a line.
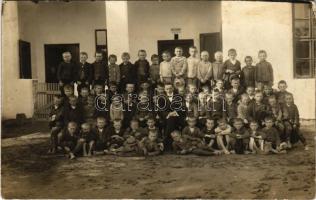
point(149, 22)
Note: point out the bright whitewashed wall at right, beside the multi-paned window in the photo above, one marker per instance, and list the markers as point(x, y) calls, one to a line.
point(251, 26)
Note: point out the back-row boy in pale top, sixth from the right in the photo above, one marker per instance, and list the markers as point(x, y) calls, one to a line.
point(193, 62)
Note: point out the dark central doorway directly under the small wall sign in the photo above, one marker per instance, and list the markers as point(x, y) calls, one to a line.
point(170, 45)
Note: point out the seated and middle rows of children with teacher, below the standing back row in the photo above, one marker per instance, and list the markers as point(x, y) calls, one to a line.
point(206, 122)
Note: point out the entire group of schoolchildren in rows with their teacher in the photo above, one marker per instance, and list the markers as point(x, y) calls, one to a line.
point(185, 105)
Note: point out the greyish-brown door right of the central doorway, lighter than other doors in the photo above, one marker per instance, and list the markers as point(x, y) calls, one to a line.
point(211, 42)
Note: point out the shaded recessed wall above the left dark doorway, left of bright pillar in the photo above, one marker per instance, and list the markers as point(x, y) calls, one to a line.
point(58, 23)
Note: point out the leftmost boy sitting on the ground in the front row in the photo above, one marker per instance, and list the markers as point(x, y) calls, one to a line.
point(69, 140)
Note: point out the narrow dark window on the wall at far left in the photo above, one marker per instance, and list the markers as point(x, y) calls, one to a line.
point(25, 59)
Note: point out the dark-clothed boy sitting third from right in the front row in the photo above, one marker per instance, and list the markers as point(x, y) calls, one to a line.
point(239, 138)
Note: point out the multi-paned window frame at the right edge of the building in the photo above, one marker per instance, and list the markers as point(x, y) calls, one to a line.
point(312, 45)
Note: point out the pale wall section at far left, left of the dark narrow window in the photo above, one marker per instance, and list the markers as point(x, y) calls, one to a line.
point(16, 93)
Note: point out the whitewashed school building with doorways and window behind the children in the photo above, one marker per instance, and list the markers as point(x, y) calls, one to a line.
point(34, 33)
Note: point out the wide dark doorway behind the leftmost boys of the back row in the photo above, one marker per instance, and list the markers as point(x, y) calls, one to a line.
point(53, 56)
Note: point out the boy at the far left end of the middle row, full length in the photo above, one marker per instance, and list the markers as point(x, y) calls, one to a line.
point(56, 122)
